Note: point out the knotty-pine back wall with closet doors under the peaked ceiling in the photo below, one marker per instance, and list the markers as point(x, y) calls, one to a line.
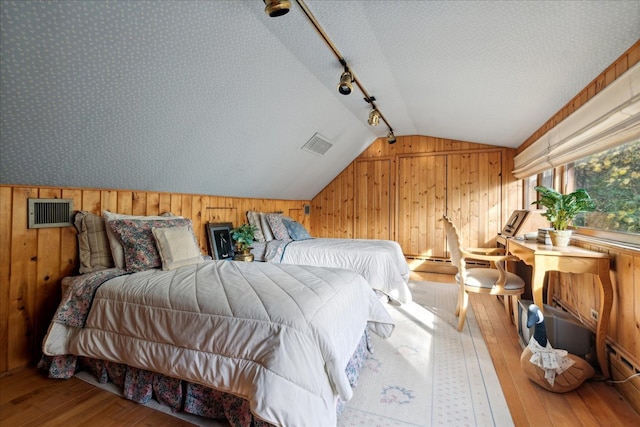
point(400, 192)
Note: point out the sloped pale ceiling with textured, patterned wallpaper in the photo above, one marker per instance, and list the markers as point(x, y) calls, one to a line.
point(217, 98)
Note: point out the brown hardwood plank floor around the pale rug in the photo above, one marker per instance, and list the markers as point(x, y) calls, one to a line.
point(29, 398)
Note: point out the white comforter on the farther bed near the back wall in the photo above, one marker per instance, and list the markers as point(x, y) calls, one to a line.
point(380, 262)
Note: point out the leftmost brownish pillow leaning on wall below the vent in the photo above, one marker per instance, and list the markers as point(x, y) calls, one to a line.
point(93, 243)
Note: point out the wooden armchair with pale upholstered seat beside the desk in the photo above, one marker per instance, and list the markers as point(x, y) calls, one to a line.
point(494, 281)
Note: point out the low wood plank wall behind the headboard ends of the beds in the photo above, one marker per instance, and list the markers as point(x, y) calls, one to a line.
point(34, 261)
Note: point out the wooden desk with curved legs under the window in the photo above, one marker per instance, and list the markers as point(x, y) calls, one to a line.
point(569, 259)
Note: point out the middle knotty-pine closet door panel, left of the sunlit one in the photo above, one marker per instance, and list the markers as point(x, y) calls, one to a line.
point(422, 195)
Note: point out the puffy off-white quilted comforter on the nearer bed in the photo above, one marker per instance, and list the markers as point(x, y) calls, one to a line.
point(277, 335)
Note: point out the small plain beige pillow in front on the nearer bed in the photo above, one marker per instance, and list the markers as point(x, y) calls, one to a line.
point(176, 246)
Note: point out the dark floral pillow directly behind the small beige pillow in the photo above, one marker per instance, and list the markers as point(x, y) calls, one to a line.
point(136, 236)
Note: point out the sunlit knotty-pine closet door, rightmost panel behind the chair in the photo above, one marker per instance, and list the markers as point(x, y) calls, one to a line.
point(473, 196)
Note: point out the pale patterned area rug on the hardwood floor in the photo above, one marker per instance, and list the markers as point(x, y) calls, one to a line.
point(425, 374)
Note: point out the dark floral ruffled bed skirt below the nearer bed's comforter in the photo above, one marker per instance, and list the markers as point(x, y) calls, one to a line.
point(141, 386)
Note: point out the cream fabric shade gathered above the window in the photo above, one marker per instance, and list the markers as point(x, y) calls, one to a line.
point(610, 118)
